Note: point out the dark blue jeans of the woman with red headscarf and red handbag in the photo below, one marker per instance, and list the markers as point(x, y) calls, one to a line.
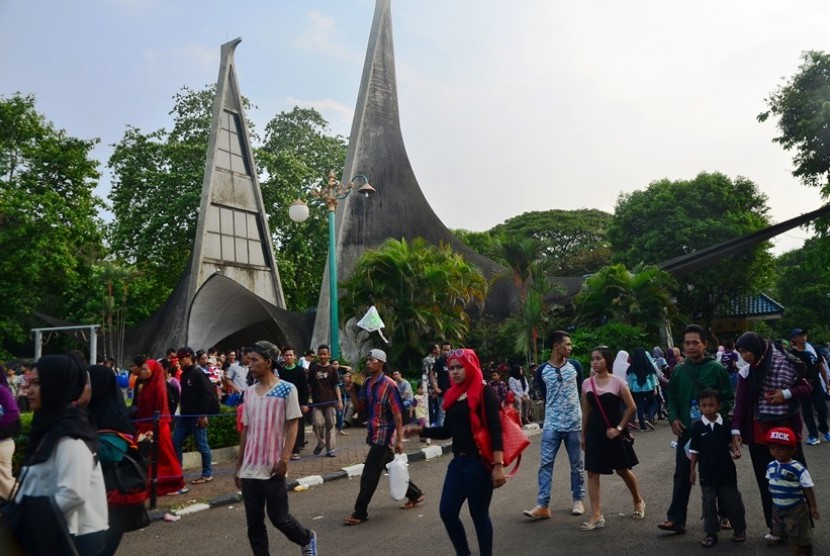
point(467, 479)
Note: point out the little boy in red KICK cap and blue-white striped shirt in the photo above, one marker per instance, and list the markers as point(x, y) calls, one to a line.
point(791, 487)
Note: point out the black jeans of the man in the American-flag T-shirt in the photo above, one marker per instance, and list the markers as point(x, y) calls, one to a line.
point(271, 496)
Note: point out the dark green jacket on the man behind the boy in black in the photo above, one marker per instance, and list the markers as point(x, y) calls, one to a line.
point(687, 379)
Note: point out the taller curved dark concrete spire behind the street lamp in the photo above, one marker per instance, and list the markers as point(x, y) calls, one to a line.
point(376, 150)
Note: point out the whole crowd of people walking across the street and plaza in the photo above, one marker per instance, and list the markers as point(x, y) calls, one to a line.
point(753, 395)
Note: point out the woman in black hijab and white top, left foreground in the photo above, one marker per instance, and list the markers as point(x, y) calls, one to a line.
point(61, 458)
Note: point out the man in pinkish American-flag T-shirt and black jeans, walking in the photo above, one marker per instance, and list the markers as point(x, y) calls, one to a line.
point(270, 416)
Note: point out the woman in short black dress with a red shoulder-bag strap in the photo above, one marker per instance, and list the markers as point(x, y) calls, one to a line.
point(603, 431)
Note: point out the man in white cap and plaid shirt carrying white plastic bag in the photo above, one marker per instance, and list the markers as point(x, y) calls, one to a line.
point(384, 406)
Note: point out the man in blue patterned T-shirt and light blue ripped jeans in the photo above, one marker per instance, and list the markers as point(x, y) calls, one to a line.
point(560, 380)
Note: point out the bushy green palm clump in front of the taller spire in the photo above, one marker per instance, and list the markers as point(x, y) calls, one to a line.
point(421, 291)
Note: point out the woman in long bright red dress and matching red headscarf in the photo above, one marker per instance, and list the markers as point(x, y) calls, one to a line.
point(154, 398)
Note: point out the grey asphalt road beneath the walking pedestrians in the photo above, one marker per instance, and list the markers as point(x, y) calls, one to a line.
point(392, 530)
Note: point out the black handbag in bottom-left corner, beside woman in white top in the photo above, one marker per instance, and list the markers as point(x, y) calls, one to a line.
point(35, 525)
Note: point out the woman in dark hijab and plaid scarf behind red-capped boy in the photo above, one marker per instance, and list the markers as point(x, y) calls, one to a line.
point(767, 396)
